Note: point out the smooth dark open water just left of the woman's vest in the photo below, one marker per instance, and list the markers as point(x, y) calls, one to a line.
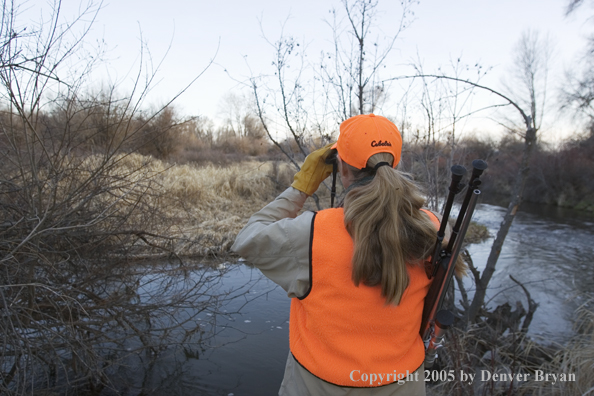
point(245, 357)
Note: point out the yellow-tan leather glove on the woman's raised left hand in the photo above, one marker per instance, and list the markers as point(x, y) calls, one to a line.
point(314, 171)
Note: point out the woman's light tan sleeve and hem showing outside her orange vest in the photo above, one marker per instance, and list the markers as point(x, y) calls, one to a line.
point(276, 241)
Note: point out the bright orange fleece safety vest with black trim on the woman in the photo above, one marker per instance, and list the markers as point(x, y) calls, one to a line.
point(342, 333)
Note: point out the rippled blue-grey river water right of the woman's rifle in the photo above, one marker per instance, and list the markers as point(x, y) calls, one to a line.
point(546, 249)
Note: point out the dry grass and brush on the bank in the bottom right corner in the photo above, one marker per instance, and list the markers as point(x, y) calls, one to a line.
point(477, 349)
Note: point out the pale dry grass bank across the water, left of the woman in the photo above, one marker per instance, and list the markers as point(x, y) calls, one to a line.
point(197, 209)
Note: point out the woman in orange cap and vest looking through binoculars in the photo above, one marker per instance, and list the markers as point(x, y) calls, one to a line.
point(355, 273)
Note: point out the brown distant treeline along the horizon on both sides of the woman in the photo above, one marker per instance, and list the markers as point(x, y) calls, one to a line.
point(562, 176)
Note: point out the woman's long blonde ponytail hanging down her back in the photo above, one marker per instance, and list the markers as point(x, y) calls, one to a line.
point(388, 228)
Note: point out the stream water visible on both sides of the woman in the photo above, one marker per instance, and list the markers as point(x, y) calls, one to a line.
point(548, 249)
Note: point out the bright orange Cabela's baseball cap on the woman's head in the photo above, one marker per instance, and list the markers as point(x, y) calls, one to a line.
point(365, 135)
